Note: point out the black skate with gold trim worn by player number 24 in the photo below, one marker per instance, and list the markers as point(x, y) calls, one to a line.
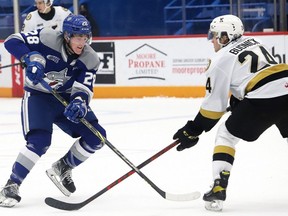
point(215, 197)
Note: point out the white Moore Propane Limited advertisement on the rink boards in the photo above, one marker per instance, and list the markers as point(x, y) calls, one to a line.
point(162, 62)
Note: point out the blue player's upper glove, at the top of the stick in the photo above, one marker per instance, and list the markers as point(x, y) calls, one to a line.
point(35, 64)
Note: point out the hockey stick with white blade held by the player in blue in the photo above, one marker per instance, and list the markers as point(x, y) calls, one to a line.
point(165, 195)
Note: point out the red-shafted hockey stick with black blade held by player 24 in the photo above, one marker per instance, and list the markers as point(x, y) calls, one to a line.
point(75, 206)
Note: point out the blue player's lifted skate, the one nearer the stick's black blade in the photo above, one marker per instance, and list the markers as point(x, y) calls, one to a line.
point(61, 176)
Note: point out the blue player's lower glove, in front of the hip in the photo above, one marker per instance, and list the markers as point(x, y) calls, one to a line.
point(76, 110)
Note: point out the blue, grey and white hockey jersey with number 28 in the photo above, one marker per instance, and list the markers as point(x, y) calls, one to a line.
point(71, 74)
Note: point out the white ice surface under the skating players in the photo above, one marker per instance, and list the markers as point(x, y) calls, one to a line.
point(139, 128)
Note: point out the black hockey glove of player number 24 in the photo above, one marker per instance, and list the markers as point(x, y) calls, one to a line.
point(187, 135)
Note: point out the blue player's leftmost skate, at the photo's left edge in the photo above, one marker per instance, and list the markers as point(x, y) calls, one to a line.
point(9, 195)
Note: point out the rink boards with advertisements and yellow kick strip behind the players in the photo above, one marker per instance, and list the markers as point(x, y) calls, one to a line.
point(143, 66)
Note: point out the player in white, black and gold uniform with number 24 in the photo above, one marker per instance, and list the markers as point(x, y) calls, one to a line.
point(244, 67)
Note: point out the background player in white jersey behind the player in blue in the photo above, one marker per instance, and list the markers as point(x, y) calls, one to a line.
point(46, 15)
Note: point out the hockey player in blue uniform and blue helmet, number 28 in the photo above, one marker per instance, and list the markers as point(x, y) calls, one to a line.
point(65, 60)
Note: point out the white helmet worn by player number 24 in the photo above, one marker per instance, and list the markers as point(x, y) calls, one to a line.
point(229, 25)
